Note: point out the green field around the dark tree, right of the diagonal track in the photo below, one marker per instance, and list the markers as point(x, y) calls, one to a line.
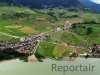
point(92, 38)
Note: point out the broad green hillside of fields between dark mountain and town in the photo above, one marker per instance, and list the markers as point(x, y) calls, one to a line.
point(23, 21)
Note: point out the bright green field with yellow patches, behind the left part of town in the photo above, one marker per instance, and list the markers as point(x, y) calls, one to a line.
point(24, 27)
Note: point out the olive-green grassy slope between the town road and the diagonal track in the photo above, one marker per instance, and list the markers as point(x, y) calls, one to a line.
point(68, 37)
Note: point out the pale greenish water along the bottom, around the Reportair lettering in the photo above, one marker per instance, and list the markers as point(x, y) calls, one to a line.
point(17, 67)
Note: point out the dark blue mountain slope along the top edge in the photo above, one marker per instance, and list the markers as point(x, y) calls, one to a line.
point(42, 3)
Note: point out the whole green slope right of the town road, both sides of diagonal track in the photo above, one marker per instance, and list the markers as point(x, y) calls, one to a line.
point(78, 35)
